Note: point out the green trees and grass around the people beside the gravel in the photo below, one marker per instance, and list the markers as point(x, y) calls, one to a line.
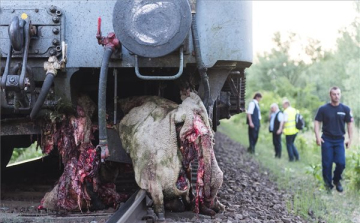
point(280, 74)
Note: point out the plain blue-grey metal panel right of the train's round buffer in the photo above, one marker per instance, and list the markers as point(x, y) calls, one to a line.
point(225, 30)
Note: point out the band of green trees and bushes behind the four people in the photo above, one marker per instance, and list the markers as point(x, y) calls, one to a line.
point(306, 82)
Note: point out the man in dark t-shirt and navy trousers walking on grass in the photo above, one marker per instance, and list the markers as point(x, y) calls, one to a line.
point(333, 117)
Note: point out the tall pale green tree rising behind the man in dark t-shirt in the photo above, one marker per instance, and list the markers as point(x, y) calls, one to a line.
point(341, 68)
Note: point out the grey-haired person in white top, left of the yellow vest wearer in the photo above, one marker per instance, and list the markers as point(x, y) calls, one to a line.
point(276, 125)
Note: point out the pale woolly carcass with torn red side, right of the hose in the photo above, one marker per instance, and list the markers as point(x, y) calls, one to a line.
point(163, 139)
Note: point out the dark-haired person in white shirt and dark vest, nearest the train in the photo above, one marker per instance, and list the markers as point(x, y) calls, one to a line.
point(253, 120)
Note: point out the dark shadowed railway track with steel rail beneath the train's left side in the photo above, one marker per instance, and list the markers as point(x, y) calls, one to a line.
point(23, 186)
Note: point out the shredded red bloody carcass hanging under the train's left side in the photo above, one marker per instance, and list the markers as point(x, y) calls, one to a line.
point(79, 187)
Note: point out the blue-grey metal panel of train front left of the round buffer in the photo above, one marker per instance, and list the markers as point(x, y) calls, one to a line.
point(80, 26)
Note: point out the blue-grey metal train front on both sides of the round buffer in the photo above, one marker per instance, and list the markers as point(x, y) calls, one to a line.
point(224, 30)
